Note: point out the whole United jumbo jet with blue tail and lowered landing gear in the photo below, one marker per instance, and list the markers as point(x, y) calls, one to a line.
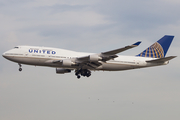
point(66, 61)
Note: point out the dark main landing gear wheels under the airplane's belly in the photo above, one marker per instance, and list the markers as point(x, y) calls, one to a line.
point(82, 72)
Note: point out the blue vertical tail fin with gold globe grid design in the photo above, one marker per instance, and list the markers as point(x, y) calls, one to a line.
point(159, 48)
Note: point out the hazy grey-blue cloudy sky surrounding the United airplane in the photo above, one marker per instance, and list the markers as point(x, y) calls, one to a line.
point(38, 93)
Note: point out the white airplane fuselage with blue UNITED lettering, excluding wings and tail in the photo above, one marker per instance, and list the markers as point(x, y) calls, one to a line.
point(43, 56)
